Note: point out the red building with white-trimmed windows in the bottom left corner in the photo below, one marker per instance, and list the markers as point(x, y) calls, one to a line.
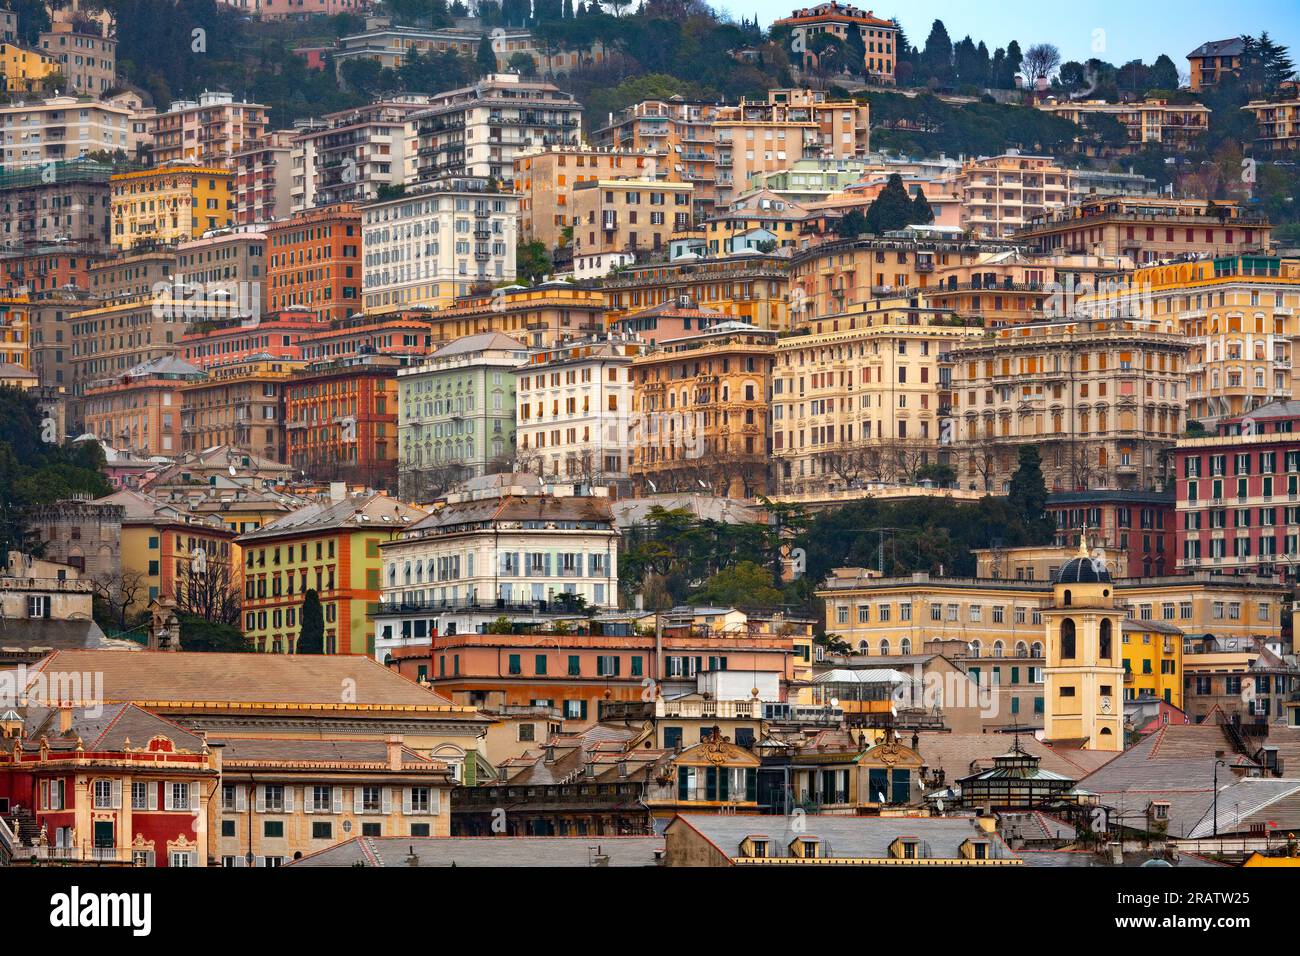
point(110, 785)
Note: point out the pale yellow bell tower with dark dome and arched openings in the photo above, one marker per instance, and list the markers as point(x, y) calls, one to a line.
point(1084, 678)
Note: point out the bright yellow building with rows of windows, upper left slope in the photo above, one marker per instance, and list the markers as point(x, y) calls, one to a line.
point(170, 205)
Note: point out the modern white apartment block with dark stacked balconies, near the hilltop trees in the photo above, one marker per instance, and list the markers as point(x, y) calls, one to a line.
point(478, 131)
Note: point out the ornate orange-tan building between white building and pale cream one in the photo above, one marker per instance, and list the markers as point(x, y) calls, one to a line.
point(701, 406)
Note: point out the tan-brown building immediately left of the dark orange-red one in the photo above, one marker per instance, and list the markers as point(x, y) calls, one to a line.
point(239, 405)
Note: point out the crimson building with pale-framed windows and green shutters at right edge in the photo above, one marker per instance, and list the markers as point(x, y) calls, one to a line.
point(1240, 495)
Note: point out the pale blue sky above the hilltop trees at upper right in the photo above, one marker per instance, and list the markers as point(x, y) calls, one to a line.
point(1124, 29)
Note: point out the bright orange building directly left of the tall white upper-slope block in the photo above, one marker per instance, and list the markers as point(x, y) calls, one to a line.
point(315, 261)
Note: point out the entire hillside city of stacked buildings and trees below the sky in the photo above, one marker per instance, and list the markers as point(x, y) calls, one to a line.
point(626, 435)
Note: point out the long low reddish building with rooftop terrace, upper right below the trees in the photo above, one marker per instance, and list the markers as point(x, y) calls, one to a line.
point(1149, 230)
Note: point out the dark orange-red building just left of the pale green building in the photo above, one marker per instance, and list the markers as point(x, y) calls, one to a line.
point(341, 421)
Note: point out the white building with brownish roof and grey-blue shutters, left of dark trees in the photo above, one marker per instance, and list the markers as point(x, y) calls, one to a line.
point(506, 547)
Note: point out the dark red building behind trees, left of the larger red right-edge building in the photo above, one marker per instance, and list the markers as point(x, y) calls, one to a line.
point(1138, 524)
